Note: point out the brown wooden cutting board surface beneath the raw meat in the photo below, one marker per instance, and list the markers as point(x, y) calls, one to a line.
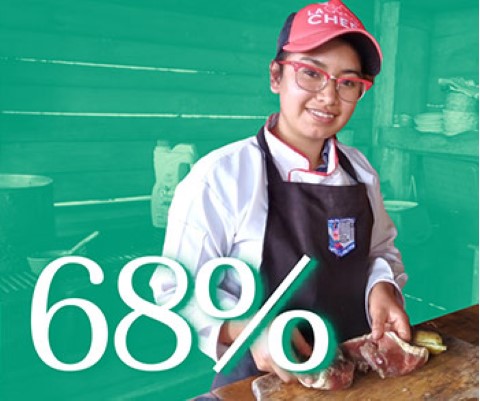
point(450, 376)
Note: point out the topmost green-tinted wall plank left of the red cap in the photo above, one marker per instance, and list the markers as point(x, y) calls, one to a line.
point(111, 20)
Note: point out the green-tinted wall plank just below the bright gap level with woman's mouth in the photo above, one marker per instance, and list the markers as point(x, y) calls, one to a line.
point(34, 128)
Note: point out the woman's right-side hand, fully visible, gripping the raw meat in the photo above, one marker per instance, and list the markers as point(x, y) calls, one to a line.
point(387, 313)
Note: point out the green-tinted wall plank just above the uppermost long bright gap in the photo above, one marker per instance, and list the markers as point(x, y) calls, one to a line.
point(125, 52)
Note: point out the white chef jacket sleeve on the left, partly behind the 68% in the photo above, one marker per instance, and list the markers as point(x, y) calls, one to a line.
point(195, 214)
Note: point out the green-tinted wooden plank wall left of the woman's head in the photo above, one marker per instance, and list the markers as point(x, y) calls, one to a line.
point(88, 87)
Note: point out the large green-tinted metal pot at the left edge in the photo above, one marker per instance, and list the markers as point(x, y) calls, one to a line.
point(26, 218)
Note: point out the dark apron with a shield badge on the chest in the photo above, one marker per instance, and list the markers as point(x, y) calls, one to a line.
point(333, 225)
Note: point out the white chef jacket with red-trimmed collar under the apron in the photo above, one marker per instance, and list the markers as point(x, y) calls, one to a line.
point(220, 209)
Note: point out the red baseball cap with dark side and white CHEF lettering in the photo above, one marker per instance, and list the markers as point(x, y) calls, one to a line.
point(316, 24)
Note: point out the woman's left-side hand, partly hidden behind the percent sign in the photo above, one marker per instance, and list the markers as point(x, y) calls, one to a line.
point(260, 350)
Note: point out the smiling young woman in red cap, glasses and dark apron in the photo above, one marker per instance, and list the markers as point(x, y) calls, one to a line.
point(293, 189)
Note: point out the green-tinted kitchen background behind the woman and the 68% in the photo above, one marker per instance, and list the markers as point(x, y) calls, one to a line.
point(87, 88)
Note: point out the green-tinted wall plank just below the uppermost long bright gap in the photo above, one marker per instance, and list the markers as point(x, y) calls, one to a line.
point(54, 73)
